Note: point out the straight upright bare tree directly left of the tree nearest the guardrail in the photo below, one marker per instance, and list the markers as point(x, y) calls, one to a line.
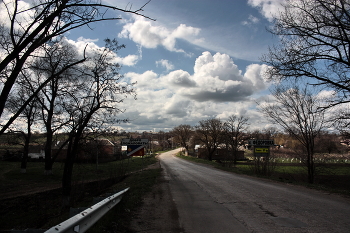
point(53, 66)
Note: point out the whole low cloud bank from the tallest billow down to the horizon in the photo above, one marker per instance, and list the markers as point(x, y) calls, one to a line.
point(217, 88)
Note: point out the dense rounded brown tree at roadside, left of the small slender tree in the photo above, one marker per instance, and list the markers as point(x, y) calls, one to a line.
point(209, 132)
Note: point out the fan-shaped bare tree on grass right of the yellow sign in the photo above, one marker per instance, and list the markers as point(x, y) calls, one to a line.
point(297, 112)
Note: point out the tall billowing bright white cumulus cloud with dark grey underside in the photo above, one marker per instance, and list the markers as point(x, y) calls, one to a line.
point(216, 78)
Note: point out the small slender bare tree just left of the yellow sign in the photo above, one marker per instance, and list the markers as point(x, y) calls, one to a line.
point(233, 131)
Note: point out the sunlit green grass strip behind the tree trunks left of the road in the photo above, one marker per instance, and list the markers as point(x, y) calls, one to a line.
point(11, 178)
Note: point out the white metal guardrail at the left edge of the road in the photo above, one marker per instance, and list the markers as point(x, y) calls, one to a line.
point(85, 219)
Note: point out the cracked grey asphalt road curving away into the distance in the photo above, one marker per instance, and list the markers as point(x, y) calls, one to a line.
point(210, 200)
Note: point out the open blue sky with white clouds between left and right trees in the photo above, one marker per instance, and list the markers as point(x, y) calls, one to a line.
point(198, 59)
